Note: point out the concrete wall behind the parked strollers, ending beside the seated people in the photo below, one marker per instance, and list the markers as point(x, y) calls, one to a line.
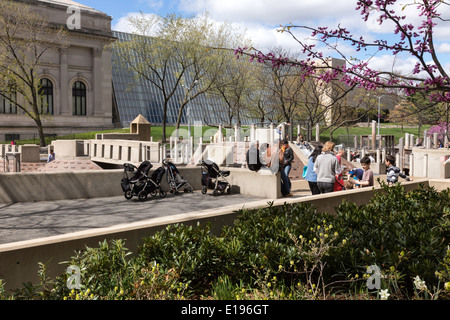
point(50, 186)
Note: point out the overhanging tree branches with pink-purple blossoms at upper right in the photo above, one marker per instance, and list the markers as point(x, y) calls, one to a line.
point(415, 40)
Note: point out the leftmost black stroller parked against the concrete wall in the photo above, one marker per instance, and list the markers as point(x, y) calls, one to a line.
point(136, 181)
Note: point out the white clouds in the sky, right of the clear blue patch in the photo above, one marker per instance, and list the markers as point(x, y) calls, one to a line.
point(262, 18)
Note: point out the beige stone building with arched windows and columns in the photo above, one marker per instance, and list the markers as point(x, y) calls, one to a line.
point(76, 81)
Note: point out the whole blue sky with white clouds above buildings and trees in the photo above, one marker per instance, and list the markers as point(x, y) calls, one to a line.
point(262, 18)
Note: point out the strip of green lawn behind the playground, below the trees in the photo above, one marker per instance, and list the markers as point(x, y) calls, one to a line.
point(385, 129)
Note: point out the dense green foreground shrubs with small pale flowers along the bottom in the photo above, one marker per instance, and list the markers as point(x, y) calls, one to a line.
point(287, 252)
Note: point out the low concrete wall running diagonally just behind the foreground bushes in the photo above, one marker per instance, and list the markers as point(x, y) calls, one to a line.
point(19, 261)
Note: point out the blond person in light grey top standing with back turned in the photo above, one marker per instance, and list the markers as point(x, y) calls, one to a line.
point(327, 167)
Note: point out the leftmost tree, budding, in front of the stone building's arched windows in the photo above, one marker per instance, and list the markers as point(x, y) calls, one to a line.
point(25, 39)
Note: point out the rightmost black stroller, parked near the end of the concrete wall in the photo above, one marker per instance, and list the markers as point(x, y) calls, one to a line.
point(213, 178)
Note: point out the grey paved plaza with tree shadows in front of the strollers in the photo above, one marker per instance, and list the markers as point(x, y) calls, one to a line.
point(27, 221)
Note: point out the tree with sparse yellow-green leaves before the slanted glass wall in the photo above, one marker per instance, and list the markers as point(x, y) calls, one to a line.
point(176, 54)
